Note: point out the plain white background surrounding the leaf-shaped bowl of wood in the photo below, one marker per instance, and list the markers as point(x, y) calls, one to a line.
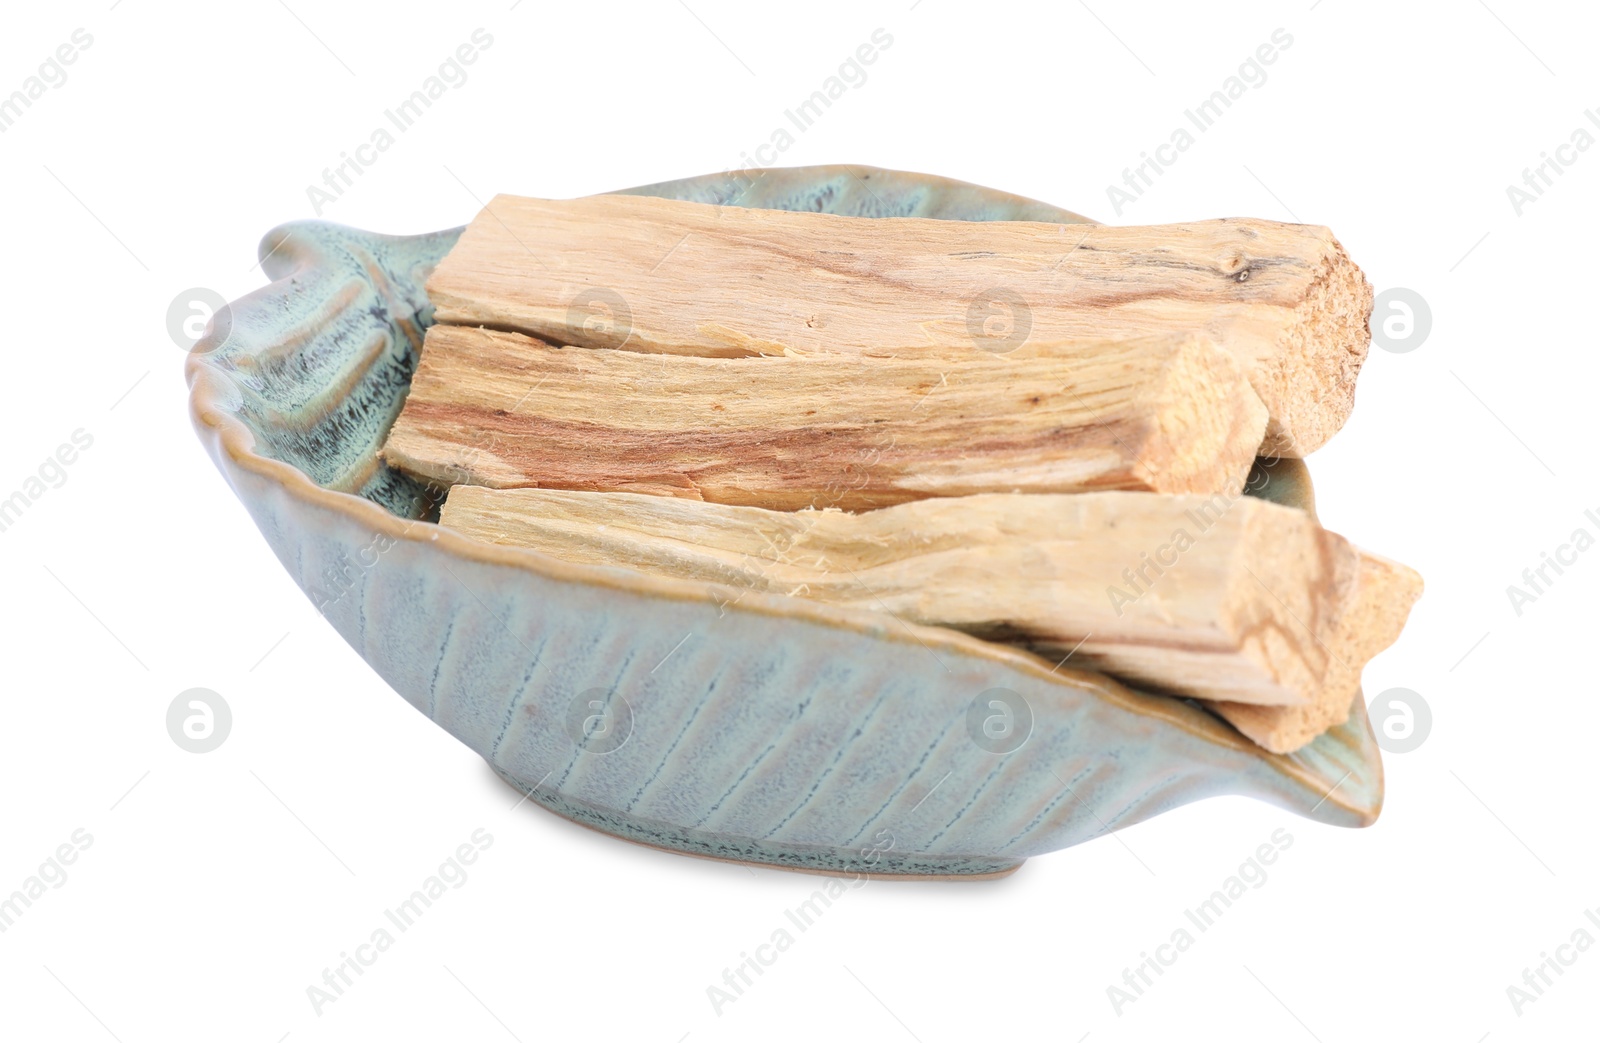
point(218, 887)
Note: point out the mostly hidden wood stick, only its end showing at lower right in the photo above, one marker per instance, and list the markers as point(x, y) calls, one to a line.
point(1385, 596)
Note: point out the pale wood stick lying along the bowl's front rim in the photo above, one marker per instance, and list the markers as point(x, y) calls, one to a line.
point(1214, 597)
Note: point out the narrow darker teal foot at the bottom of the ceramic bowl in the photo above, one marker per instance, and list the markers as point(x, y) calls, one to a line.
point(878, 860)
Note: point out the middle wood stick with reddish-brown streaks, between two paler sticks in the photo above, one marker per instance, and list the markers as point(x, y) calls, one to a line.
point(1170, 414)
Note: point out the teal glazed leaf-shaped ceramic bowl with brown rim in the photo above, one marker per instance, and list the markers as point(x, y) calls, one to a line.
point(764, 729)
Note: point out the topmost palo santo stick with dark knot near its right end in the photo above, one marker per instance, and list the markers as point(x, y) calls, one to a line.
point(695, 279)
